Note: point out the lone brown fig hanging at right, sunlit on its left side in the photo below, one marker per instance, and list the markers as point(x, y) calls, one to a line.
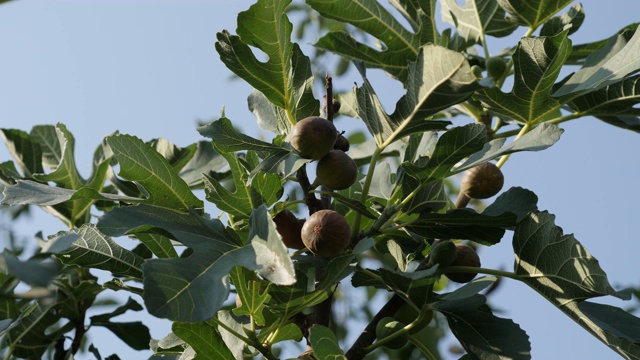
point(482, 181)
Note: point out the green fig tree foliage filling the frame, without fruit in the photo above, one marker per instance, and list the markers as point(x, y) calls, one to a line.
point(186, 263)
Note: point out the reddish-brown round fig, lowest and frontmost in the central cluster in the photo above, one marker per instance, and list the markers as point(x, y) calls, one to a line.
point(326, 233)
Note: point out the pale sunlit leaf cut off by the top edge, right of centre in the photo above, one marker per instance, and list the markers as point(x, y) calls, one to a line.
point(477, 18)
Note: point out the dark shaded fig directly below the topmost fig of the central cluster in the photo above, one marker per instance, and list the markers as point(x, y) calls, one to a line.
point(336, 170)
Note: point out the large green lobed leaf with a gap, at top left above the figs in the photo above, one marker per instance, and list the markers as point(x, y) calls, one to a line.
point(285, 78)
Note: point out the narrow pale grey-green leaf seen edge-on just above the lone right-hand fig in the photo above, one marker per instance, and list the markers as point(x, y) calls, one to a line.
point(541, 137)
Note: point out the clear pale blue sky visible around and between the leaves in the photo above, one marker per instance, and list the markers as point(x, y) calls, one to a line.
point(149, 68)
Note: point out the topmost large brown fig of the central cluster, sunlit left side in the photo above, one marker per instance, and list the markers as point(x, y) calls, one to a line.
point(313, 137)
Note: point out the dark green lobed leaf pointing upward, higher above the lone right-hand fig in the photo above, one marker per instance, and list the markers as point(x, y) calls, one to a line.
point(537, 63)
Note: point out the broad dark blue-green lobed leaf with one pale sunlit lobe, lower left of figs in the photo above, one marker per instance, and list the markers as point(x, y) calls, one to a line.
point(194, 288)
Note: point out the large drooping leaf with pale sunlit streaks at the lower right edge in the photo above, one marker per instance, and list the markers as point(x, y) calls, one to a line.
point(559, 268)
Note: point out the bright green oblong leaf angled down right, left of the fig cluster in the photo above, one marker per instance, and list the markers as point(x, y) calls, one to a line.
point(142, 164)
